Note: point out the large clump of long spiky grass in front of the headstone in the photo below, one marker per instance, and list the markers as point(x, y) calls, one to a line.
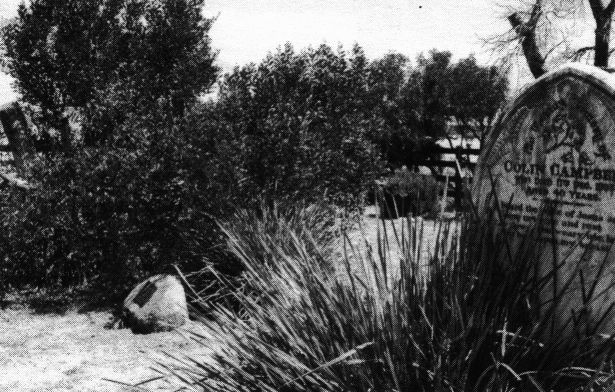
point(468, 318)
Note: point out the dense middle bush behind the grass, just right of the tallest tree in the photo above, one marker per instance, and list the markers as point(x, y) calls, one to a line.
point(299, 122)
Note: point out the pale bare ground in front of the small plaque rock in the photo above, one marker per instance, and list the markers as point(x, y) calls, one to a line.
point(75, 352)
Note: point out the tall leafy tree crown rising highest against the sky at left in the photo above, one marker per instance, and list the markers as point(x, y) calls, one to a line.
point(105, 60)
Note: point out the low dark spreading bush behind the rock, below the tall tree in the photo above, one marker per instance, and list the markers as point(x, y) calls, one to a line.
point(111, 215)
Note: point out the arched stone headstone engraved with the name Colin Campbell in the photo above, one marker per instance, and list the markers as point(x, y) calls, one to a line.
point(550, 163)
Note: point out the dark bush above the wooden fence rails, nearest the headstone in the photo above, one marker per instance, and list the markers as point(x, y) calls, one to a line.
point(434, 98)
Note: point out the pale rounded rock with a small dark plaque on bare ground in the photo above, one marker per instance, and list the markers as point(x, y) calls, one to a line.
point(155, 305)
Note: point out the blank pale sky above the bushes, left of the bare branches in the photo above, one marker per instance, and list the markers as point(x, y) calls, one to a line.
point(245, 30)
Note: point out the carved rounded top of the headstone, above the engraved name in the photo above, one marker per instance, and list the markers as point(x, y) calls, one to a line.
point(571, 110)
